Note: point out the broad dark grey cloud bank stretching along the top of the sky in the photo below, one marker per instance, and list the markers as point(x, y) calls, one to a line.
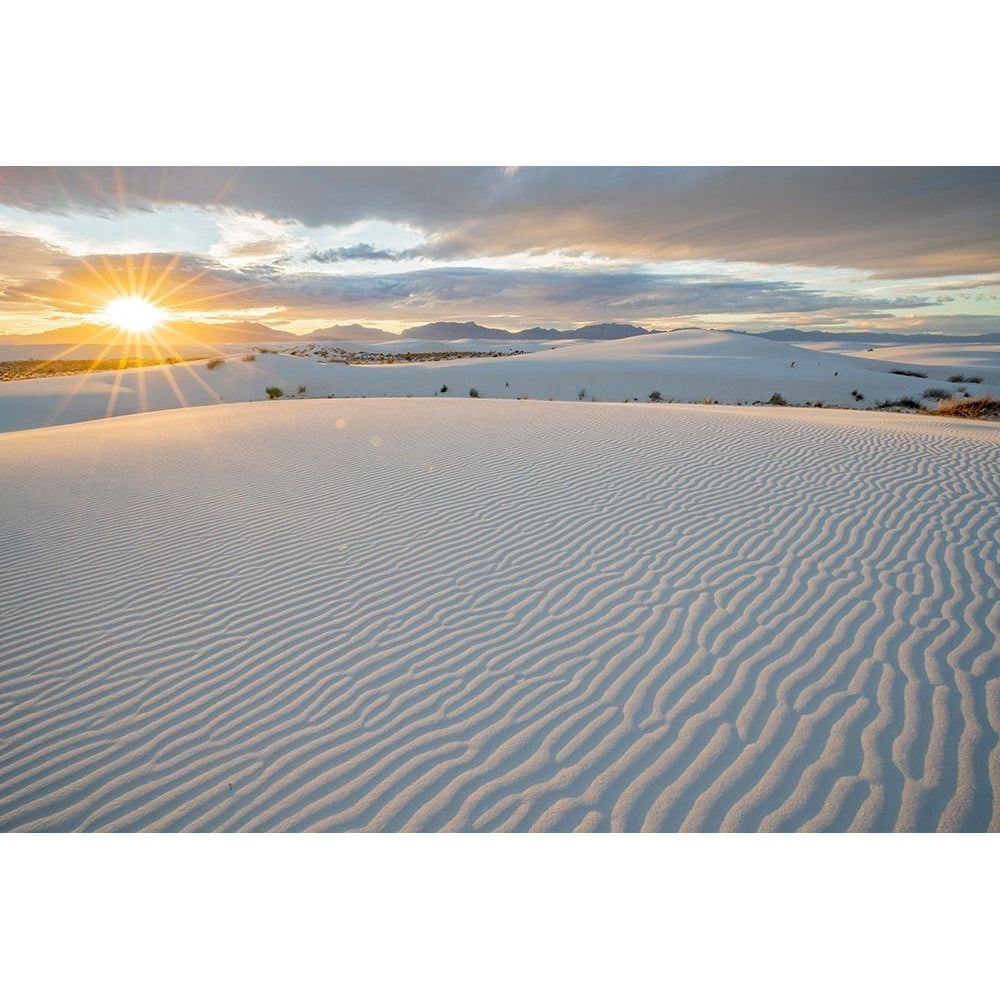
point(892, 221)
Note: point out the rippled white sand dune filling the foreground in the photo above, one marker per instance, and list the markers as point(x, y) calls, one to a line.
point(500, 615)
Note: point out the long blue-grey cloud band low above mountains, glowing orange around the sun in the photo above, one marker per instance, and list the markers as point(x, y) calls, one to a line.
point(200, 285)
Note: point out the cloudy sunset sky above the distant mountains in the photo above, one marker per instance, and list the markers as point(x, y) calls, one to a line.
point(840, 249)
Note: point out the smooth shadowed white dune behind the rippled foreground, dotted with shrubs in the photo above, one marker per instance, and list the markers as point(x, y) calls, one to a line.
point(683, 366)
